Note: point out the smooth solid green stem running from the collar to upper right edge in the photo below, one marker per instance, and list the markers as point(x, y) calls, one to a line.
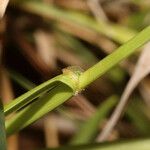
point(107, 63)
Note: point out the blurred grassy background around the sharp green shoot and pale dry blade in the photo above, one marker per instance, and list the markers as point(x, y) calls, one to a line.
point(38, 38)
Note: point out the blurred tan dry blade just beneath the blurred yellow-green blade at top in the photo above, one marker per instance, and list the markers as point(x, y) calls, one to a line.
point(88, 35)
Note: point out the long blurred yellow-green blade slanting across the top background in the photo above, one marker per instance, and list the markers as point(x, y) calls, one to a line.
point(113, 31)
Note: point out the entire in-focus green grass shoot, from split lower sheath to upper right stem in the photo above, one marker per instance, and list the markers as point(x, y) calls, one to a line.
point(62, 87)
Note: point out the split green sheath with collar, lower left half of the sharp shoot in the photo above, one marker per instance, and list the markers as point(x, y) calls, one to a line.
point(59, 89)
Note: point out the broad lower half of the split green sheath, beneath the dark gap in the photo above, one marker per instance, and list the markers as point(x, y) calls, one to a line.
point(37, 109)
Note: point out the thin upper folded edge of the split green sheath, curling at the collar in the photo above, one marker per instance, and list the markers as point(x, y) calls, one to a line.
point(26, 98)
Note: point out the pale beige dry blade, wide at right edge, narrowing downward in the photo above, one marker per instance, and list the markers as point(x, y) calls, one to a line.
point(141, 71)
